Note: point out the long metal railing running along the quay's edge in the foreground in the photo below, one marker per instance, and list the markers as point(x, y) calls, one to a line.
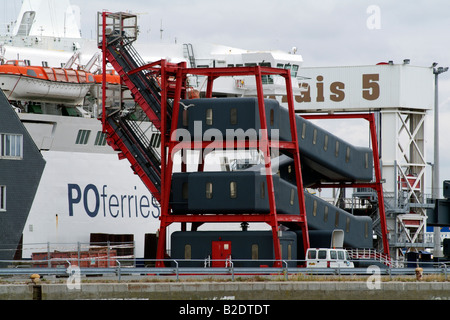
point(119, 268)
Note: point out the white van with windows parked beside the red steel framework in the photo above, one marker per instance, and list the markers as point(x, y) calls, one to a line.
point(328, 258)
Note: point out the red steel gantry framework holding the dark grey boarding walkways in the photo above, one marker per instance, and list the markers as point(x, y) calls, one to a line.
point(172, 80)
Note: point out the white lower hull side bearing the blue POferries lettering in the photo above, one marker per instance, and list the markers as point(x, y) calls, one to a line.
point(79, 196)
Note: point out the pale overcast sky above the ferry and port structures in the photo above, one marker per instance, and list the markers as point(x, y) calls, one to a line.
point(325, 32)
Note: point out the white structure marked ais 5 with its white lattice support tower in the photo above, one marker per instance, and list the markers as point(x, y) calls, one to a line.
point(403, 98)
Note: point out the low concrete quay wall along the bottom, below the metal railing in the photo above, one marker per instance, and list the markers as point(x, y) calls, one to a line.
point(240, 290)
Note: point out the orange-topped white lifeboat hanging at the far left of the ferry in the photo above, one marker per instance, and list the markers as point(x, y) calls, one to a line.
point(22, 82)
